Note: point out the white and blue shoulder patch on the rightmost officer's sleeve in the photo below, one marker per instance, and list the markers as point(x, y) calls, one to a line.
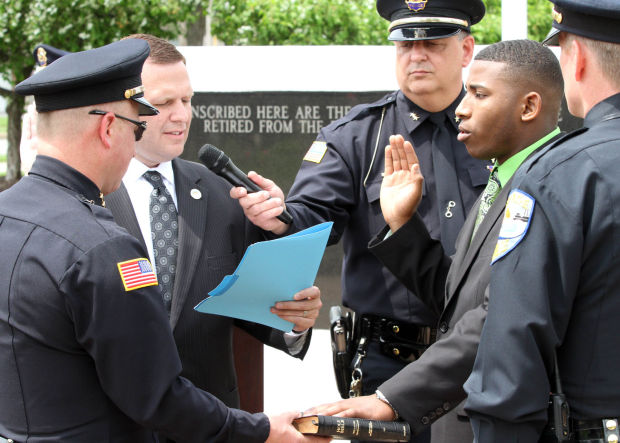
point(516, 222)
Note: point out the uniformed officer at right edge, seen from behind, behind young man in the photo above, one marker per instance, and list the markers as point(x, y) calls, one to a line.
point(555, 277)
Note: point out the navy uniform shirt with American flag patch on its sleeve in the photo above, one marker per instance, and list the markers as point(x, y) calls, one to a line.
point(83, 357)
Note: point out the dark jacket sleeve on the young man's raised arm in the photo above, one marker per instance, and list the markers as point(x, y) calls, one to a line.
point(417, 260)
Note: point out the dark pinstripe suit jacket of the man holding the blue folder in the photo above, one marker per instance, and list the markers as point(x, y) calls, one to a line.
point(213, 235)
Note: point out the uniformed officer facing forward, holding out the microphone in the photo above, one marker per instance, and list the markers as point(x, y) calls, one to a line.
point(340, 179)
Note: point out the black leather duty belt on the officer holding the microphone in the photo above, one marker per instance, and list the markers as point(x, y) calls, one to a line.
point(399, 340)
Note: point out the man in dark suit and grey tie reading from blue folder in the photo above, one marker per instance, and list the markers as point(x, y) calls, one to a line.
point(212, 235)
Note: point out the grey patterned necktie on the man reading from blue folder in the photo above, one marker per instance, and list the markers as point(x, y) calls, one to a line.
point(164, 230)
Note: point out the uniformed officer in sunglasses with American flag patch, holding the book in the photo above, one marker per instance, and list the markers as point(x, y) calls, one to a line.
point(86, 352)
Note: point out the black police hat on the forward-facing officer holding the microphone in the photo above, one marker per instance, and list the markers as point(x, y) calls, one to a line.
point(429, 19)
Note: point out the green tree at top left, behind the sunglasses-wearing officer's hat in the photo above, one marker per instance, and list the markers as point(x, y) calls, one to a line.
point(72, 25)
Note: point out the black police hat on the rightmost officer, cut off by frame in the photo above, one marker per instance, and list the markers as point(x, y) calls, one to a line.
point(595, 19)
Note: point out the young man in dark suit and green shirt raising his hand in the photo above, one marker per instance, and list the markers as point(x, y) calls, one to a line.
point(514, 91)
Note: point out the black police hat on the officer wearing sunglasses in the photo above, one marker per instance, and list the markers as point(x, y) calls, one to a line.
point(101, 75)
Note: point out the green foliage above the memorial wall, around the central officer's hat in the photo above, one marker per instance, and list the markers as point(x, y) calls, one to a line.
point(338, 22)
